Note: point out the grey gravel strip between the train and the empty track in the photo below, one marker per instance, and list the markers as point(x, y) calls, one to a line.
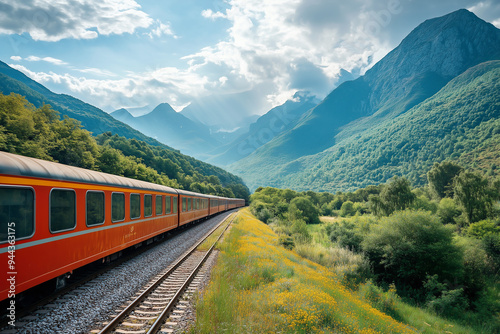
point(85, 308)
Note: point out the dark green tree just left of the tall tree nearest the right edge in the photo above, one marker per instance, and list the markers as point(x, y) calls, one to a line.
point(440, 178)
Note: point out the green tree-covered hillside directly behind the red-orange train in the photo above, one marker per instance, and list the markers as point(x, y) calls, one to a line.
point(39, 133)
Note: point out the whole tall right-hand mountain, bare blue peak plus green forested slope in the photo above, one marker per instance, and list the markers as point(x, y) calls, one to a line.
point(379, 125)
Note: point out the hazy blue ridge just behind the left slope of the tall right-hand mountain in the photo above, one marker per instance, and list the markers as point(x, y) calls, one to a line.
point(269, 125)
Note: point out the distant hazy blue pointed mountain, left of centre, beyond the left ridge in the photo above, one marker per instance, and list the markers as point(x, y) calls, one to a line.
point(172, 128)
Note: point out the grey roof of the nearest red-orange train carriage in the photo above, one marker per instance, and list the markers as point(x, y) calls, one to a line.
point(13, 164)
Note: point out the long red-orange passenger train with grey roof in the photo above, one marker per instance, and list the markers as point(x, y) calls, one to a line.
point(60, 218)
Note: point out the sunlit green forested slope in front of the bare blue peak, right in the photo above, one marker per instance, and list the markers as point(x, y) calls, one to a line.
point(460, 122)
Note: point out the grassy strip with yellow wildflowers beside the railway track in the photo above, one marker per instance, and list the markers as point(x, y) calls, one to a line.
point(260, 287)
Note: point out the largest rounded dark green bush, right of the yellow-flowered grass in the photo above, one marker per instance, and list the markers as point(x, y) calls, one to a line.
point(408, 245)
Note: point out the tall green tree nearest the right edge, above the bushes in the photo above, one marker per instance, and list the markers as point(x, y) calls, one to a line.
point(474, 195)
